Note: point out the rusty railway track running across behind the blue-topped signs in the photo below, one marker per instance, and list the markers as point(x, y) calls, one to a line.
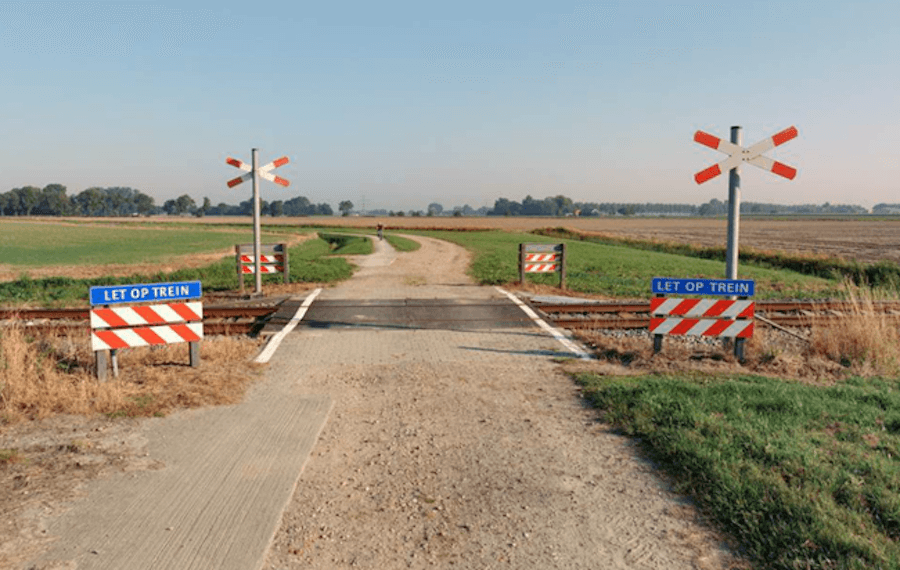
point(249, 318)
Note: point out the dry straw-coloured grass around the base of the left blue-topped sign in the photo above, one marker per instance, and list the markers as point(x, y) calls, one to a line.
point(41, 377)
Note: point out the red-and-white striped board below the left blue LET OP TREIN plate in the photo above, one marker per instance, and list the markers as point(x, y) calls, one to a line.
point(115, 328)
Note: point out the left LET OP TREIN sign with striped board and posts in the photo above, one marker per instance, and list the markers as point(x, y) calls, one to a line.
point(114, 328)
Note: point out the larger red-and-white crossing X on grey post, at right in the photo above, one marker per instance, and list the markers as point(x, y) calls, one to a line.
point(737, 155)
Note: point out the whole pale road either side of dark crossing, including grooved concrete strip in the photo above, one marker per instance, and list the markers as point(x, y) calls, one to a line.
point(378, 447)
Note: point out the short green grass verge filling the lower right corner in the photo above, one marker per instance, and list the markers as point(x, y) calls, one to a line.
point(801, 476)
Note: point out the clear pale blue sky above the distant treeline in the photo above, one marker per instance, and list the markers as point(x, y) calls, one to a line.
point(396, 105)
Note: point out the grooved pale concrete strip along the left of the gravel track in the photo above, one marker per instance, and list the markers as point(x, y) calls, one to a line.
point(229, 472)
